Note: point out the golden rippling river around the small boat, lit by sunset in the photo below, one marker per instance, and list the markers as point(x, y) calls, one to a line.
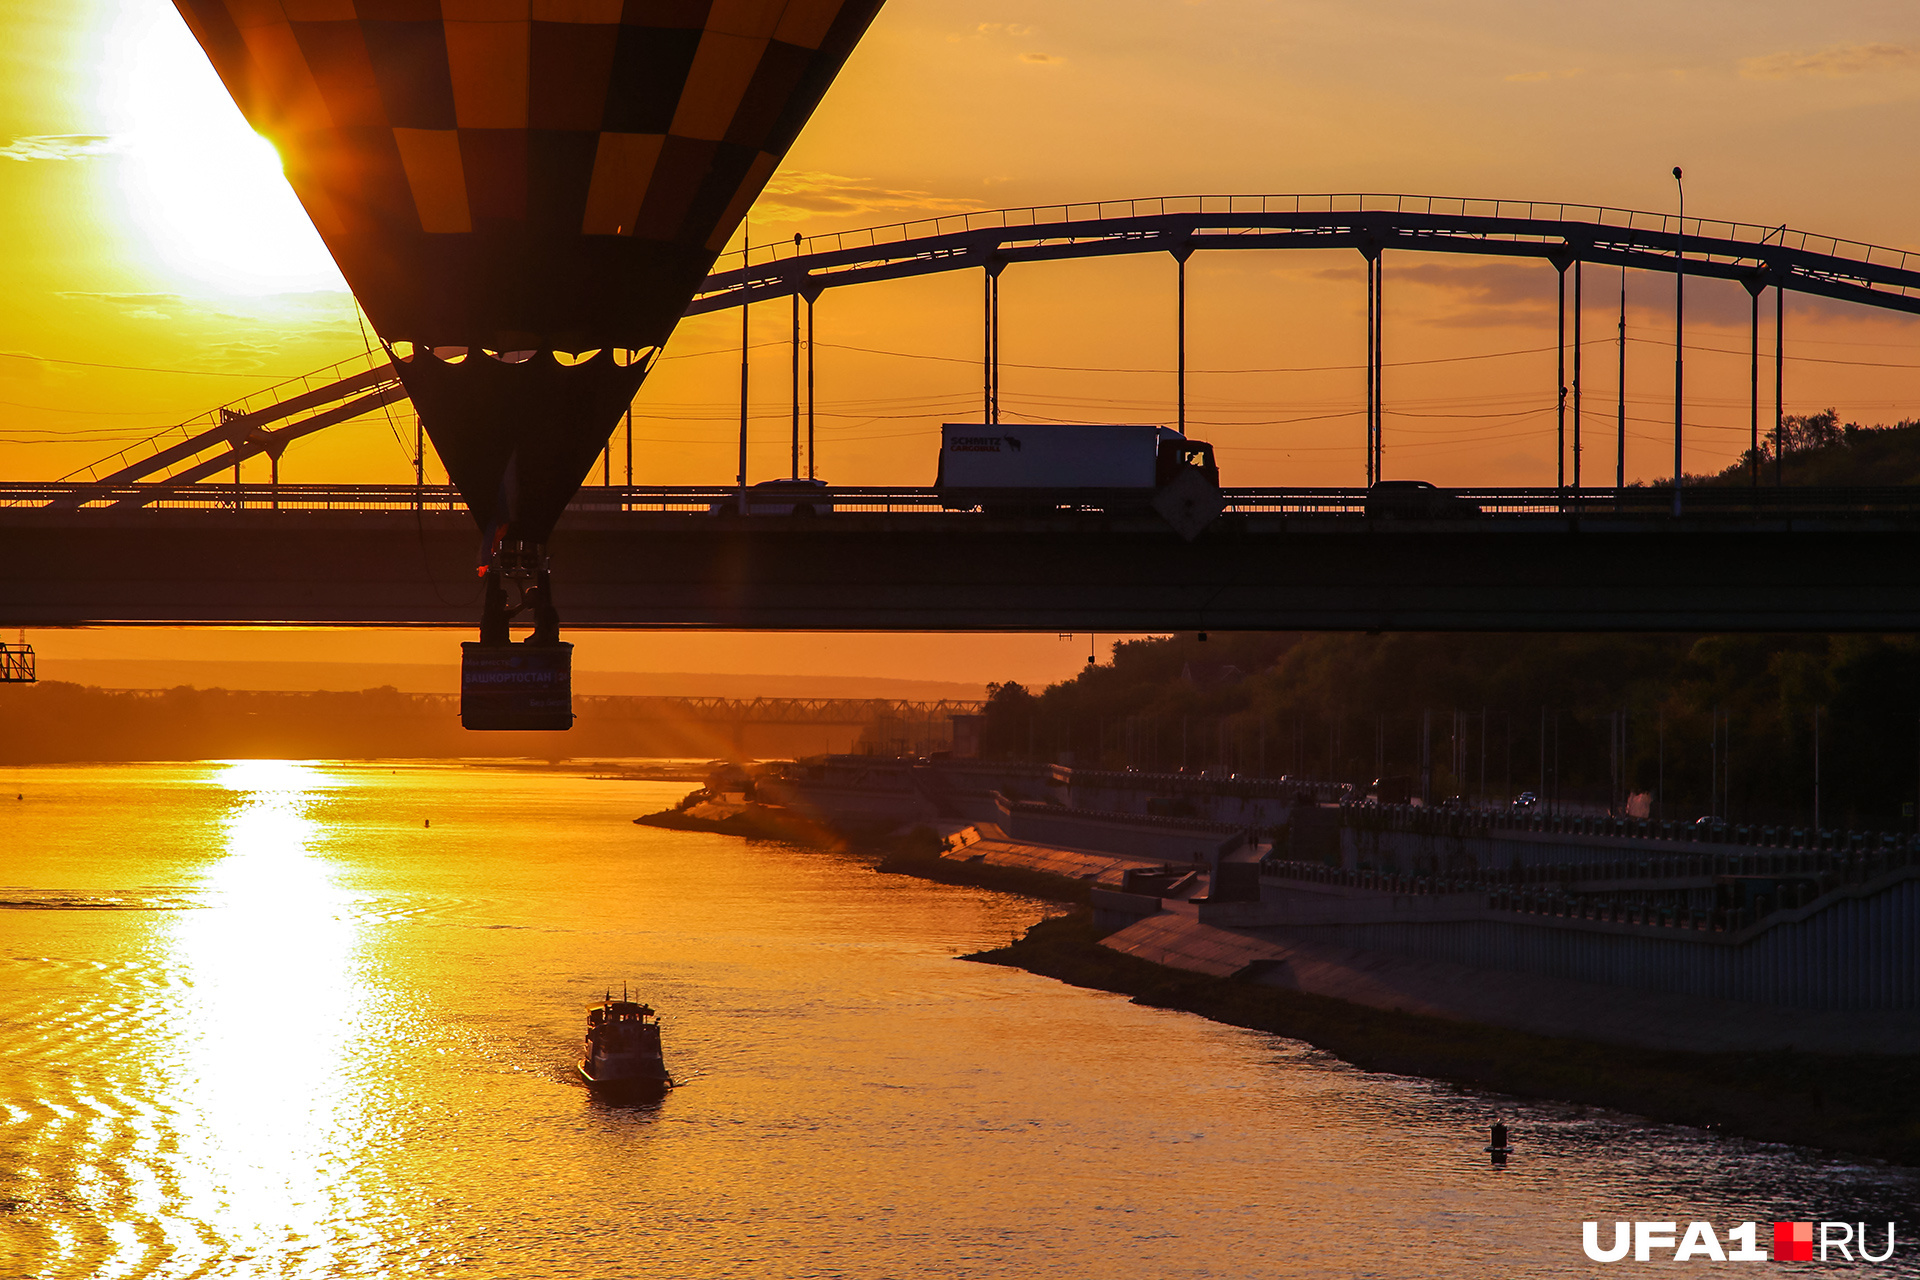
point(320, 1020)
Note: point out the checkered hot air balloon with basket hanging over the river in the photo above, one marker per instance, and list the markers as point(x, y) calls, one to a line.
point(516, 185)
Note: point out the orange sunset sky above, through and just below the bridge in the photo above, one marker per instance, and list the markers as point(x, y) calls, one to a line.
point(145, 227)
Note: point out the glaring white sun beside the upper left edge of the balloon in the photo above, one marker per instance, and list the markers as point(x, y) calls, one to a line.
point(203, 187)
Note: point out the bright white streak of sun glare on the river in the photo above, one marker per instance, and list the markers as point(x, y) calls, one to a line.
point(279, 1039)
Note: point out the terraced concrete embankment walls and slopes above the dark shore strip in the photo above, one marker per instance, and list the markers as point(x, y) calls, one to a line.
point(1639, 943)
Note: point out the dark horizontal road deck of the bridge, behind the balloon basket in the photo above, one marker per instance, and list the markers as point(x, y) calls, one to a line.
point(1733, 563)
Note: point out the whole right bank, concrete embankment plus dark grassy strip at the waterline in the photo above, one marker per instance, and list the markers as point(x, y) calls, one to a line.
point(1197, 914)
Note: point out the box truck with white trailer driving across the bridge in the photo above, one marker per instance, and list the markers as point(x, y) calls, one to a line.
point(1028, 465)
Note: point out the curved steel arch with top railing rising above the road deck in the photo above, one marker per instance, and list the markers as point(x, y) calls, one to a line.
point(1180, 225)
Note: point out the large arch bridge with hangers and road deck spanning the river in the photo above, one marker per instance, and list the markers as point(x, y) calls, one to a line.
point(147, 538)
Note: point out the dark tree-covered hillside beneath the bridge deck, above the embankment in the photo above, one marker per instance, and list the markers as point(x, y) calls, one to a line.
point(1716, 724)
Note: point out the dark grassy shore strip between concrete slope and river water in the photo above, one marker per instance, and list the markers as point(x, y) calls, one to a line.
point(1856, 1104)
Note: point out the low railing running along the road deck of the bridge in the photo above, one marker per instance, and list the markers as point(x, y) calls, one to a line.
point(1639, 502)
